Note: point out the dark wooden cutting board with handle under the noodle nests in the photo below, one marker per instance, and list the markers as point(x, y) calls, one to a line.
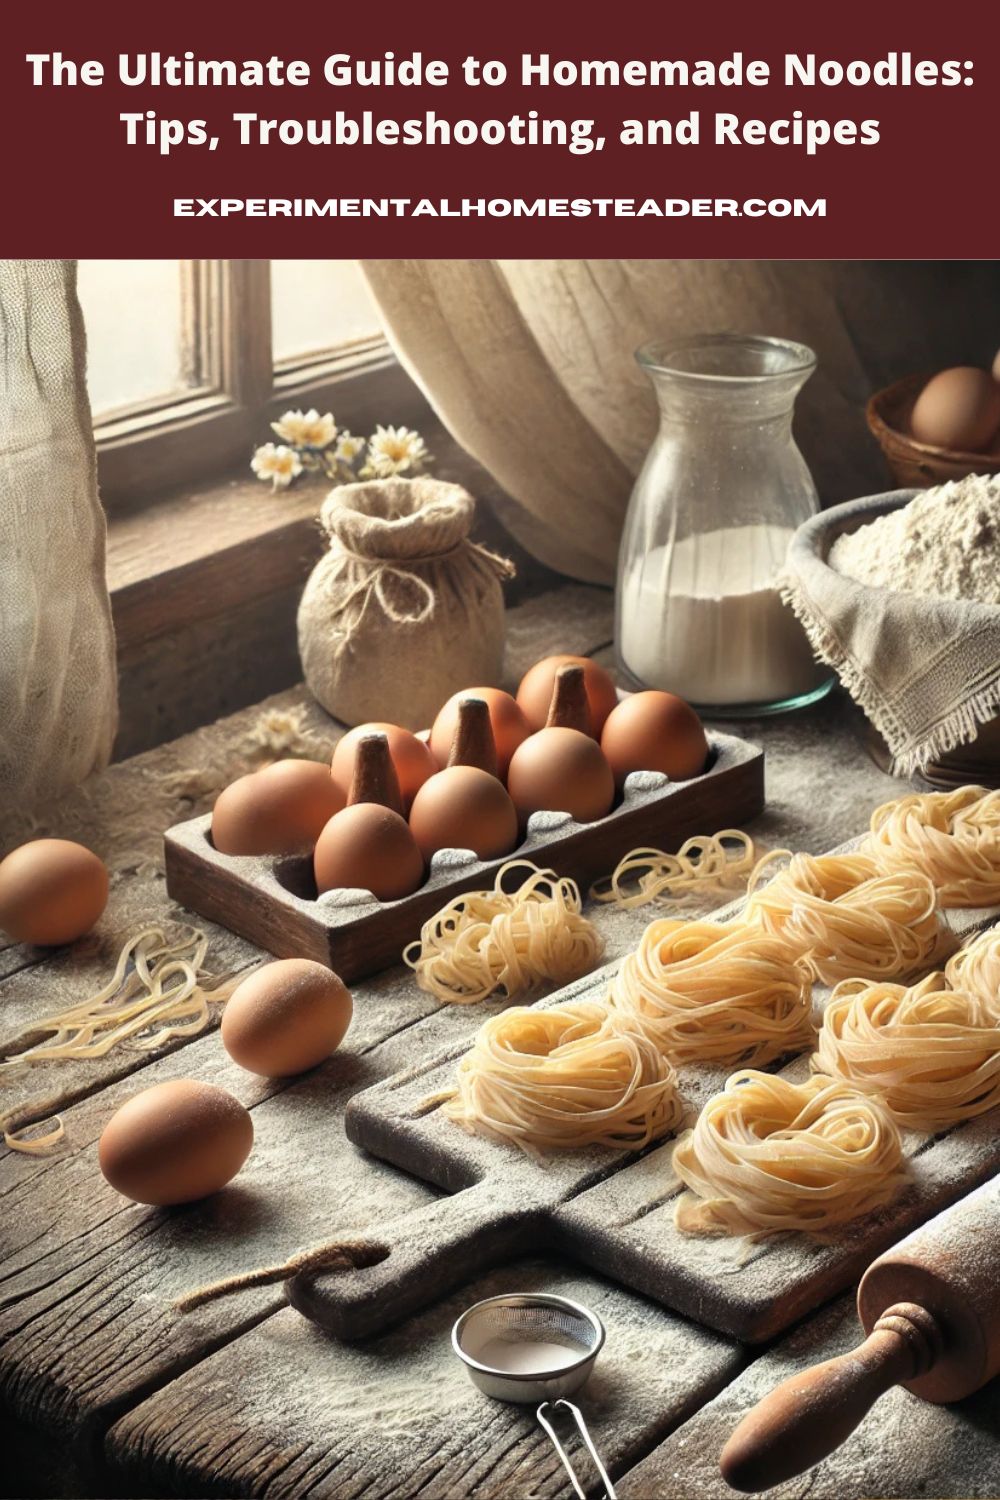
point(611, 1210)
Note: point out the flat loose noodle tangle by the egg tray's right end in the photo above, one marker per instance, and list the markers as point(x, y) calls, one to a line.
point(705, 863)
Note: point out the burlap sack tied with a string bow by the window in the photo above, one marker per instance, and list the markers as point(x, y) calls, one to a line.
point(404, 610)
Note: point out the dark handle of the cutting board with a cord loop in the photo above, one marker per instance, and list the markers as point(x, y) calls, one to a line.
point(430, 1253)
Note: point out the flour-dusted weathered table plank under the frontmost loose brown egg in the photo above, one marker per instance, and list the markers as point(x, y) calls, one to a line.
point(88, 1286)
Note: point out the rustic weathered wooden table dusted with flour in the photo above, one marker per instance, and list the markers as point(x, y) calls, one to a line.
point(106, 1390)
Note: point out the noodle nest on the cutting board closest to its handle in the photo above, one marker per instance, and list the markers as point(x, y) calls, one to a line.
point(564, 1078)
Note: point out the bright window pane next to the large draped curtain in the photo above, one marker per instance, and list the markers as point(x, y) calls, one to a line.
point(319, 305)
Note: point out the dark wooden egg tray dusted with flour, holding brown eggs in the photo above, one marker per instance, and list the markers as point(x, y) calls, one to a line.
point(274, 902)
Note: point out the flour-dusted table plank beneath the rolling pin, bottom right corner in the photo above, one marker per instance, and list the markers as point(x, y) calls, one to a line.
point(905, 1448)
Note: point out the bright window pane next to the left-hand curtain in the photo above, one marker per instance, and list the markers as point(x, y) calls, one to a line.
point(134, 319)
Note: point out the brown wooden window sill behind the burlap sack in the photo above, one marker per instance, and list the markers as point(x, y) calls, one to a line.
point(206, 584)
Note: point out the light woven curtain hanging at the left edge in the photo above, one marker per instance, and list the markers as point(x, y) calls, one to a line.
point(58, 662)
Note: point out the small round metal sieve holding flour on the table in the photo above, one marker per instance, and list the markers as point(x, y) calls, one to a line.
point(528, 1348)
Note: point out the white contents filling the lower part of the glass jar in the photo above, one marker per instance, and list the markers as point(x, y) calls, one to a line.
point(702, 619)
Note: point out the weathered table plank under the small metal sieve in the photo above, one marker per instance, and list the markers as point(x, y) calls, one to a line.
point(290, 1412)
